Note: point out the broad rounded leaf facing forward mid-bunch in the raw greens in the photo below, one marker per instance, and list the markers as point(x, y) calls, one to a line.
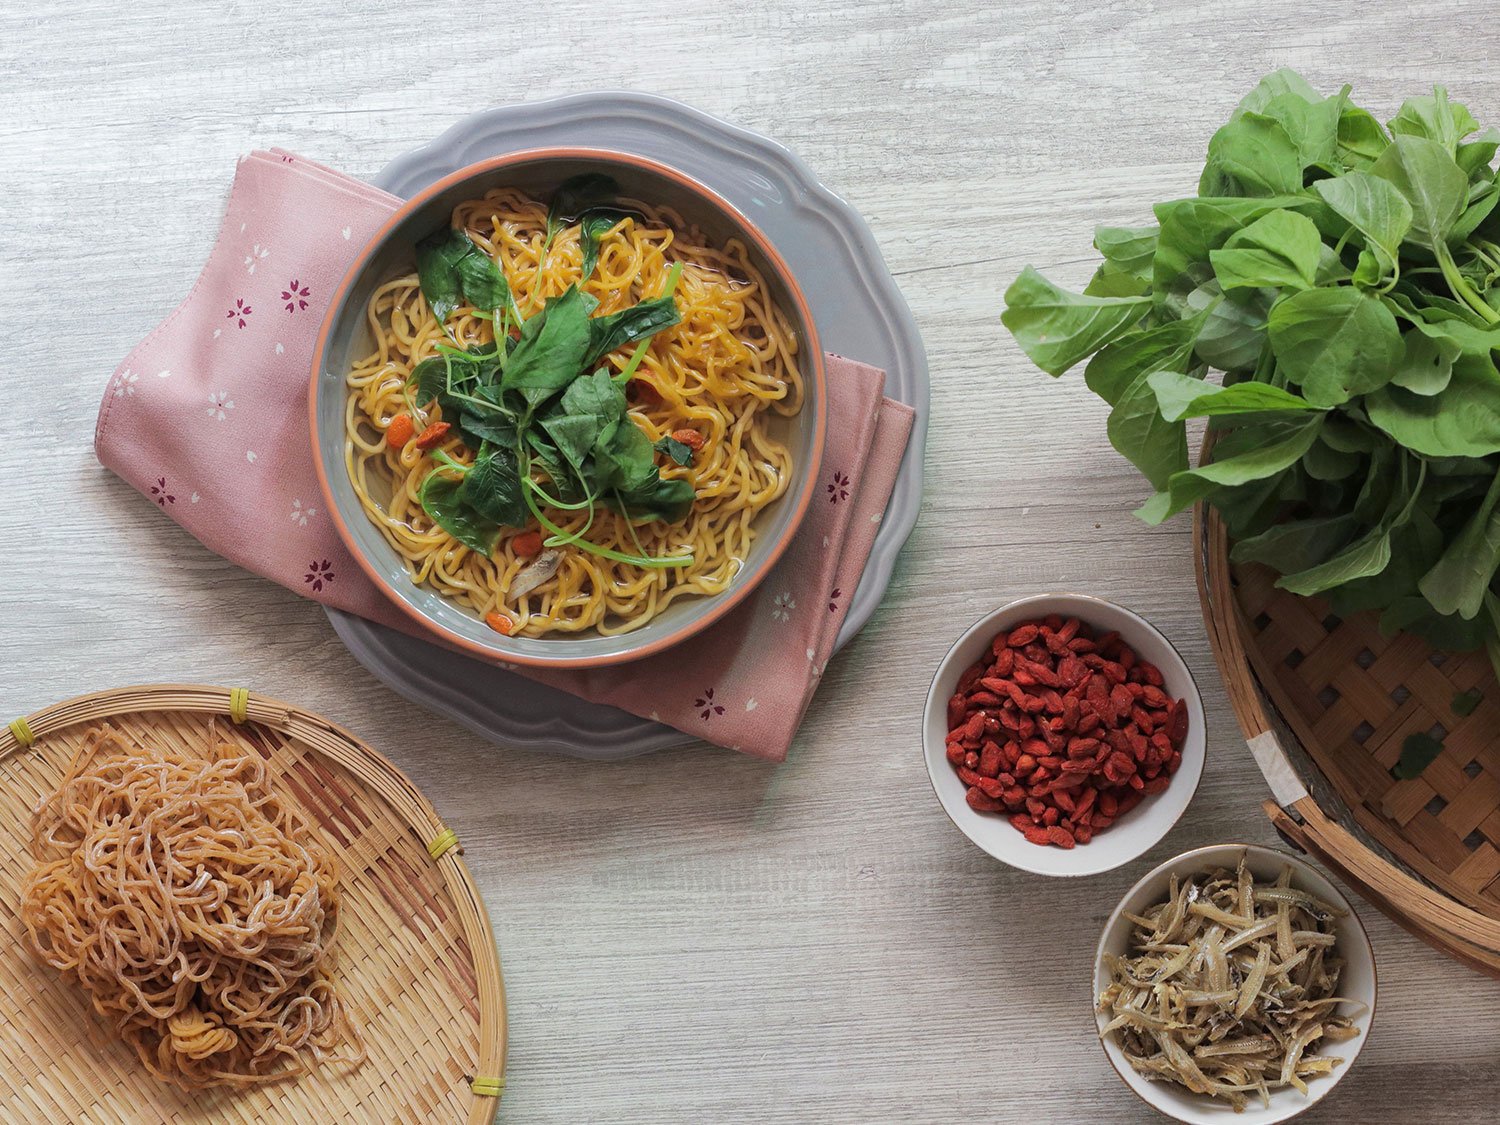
point(1336, 344)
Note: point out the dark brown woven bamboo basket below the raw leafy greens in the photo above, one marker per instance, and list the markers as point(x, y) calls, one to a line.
point(1327, 706)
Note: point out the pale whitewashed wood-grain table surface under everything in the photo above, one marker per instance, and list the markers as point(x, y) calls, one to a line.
point(697, 937)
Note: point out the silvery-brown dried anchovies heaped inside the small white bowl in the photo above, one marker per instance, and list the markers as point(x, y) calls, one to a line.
point(1229, 986)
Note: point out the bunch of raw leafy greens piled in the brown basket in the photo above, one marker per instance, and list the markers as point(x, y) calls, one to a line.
point(1346, 281)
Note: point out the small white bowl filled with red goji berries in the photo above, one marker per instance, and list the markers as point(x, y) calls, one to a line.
point(1064, 734)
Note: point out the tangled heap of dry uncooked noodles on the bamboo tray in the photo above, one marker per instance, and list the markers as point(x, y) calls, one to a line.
point(196, 908)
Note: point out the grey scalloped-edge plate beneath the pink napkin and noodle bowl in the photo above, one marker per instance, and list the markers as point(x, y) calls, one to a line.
point(854, 299)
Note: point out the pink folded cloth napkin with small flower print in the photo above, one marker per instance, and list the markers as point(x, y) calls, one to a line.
point(209, 419)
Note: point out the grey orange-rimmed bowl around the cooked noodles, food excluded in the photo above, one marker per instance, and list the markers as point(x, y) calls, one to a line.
point(350, 340)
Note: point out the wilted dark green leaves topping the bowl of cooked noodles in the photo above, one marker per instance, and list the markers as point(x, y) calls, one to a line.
point(542, 410)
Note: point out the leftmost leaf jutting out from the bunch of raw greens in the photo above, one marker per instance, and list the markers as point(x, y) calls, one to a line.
point(1057, 329)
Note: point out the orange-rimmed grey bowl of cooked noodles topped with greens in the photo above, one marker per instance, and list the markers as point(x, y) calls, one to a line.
point(568, 409)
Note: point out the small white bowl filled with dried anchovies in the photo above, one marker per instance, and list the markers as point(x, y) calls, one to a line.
point(1234, 983)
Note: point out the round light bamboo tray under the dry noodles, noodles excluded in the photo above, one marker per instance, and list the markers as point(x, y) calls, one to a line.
point(416, 956)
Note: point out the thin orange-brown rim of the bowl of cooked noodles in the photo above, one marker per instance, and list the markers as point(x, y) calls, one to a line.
point(722, 604)
